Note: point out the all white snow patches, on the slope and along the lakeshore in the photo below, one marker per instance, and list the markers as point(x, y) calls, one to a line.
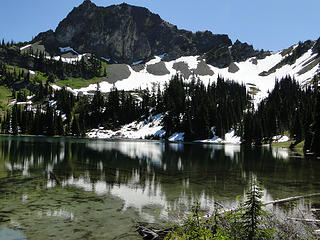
point(254, 73)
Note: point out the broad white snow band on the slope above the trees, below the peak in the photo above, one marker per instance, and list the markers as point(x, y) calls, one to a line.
point(248, 74)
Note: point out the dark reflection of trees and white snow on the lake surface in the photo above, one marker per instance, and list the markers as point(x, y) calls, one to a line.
point(144, 173)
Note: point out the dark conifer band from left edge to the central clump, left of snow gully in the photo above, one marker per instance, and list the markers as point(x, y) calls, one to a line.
point(187, 107)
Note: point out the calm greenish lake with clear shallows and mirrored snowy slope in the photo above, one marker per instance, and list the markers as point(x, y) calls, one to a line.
point(56, 188)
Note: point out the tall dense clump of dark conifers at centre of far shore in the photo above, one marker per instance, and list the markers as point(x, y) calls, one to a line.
point(194, 108)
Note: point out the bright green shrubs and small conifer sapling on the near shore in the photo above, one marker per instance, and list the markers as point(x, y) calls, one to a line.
point(245, 223)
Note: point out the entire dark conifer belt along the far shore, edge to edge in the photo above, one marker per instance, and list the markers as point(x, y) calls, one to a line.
point(189, 107)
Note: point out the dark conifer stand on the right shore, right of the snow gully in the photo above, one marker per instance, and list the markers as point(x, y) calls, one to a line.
point(288, 108)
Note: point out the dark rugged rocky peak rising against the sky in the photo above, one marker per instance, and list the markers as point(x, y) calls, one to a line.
point(127, 34)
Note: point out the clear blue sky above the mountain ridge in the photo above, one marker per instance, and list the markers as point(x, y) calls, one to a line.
point(267, 24)
